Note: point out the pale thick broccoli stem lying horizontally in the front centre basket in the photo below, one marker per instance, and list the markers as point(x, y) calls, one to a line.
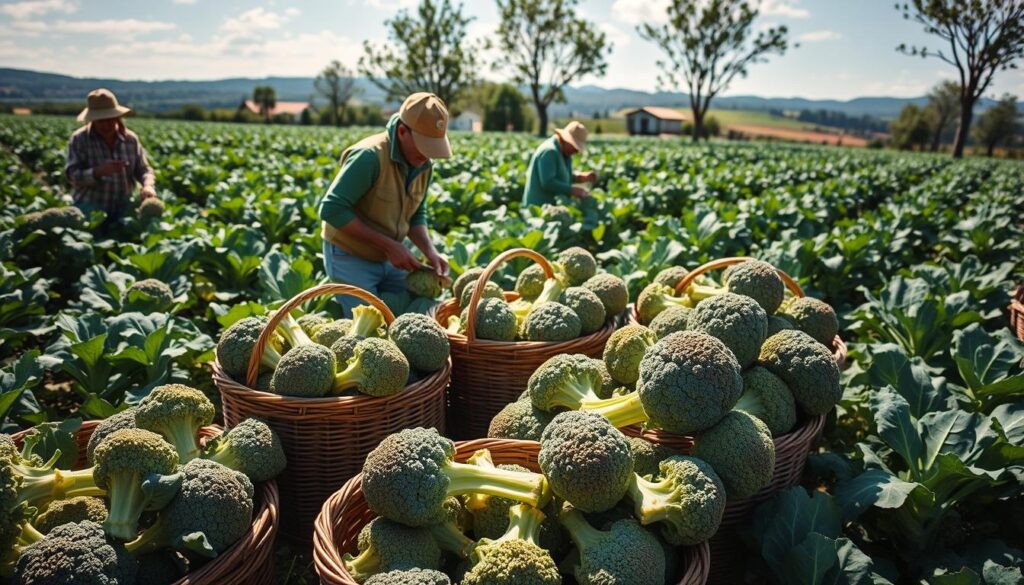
point(520, 486)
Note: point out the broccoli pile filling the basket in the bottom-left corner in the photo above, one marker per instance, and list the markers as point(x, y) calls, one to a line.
point(156, 500)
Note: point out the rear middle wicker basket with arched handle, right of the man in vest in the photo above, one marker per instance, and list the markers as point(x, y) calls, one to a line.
point(488, 375)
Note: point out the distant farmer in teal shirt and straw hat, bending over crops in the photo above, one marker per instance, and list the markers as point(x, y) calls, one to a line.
point(550, 172)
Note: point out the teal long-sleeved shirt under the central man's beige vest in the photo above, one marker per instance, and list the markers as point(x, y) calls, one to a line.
point(359, 175)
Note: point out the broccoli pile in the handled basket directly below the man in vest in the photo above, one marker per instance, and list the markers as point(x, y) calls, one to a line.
point(317, 357)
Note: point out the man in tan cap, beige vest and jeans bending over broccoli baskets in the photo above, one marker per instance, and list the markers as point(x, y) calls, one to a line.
point(378, 199)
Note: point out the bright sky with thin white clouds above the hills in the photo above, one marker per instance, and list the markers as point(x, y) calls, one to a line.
point(846, 48)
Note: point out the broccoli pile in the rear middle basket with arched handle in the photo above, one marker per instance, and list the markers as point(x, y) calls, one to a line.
point(577, 301)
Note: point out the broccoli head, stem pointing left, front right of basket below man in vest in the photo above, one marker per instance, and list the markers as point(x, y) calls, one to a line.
point(377, 368)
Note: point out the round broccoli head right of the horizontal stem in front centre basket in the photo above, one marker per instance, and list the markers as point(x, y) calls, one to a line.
point(586, 461)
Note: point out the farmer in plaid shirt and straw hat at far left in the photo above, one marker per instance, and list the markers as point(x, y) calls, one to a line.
point(106, 160)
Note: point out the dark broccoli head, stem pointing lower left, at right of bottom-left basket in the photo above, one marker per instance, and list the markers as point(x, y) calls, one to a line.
point(210, 513)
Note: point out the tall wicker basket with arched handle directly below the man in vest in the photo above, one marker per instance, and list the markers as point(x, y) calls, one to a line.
point(326, 440)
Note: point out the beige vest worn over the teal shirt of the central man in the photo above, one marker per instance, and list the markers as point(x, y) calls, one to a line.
point(387, 208)
